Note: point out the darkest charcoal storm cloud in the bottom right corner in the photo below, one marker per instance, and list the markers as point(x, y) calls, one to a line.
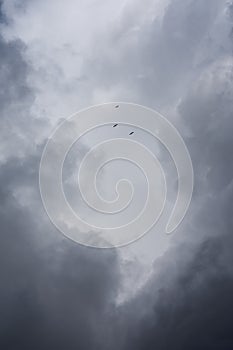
point(192, 310)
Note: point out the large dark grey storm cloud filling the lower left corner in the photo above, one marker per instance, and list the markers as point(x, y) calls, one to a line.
point(53, 293)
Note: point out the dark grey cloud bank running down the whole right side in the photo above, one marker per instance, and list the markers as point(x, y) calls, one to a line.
point(187, 304)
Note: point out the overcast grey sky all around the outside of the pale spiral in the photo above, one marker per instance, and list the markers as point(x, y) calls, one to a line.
point(57, 57)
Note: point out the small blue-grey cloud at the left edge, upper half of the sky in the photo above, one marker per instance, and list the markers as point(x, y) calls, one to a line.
point(18, 127)
